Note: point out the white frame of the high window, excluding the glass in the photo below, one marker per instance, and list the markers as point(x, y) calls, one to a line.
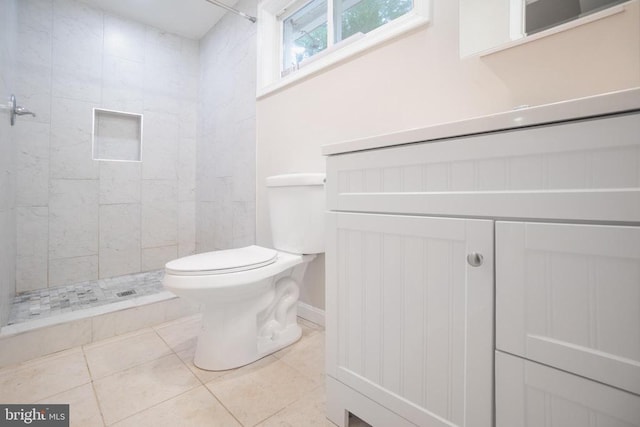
point(270, 15)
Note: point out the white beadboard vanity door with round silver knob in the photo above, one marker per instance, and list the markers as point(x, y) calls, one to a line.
point(409, 319)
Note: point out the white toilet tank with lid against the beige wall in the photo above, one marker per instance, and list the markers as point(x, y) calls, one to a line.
point(297, 207)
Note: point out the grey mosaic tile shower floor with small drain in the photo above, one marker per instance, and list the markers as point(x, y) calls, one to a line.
point(42, 303)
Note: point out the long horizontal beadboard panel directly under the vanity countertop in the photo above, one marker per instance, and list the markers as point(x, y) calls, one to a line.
point(585, 170)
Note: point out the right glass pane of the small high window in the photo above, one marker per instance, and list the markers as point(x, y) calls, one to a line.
point(362, 16)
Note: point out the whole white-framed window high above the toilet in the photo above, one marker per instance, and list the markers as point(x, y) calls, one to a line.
point(300, 38)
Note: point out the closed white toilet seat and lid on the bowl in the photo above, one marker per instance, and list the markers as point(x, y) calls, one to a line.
point(222, 262)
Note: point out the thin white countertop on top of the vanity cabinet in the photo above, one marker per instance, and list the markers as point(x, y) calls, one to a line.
point(614, 102)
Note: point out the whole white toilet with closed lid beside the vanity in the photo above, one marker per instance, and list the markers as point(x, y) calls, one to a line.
point(249, 295)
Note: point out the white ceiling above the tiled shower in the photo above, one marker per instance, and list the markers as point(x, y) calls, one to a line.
point(188, 18)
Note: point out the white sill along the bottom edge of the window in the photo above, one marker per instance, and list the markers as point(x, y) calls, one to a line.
point(344, 51)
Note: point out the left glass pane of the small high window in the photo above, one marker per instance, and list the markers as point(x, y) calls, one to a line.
point(304, 34)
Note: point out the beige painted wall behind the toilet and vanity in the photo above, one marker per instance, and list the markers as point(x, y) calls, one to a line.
point(418, 80)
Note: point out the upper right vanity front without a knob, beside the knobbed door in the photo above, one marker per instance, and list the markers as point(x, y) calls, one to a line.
point(568, 296)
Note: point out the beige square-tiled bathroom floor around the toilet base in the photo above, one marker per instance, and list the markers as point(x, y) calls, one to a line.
point(147, 378)
